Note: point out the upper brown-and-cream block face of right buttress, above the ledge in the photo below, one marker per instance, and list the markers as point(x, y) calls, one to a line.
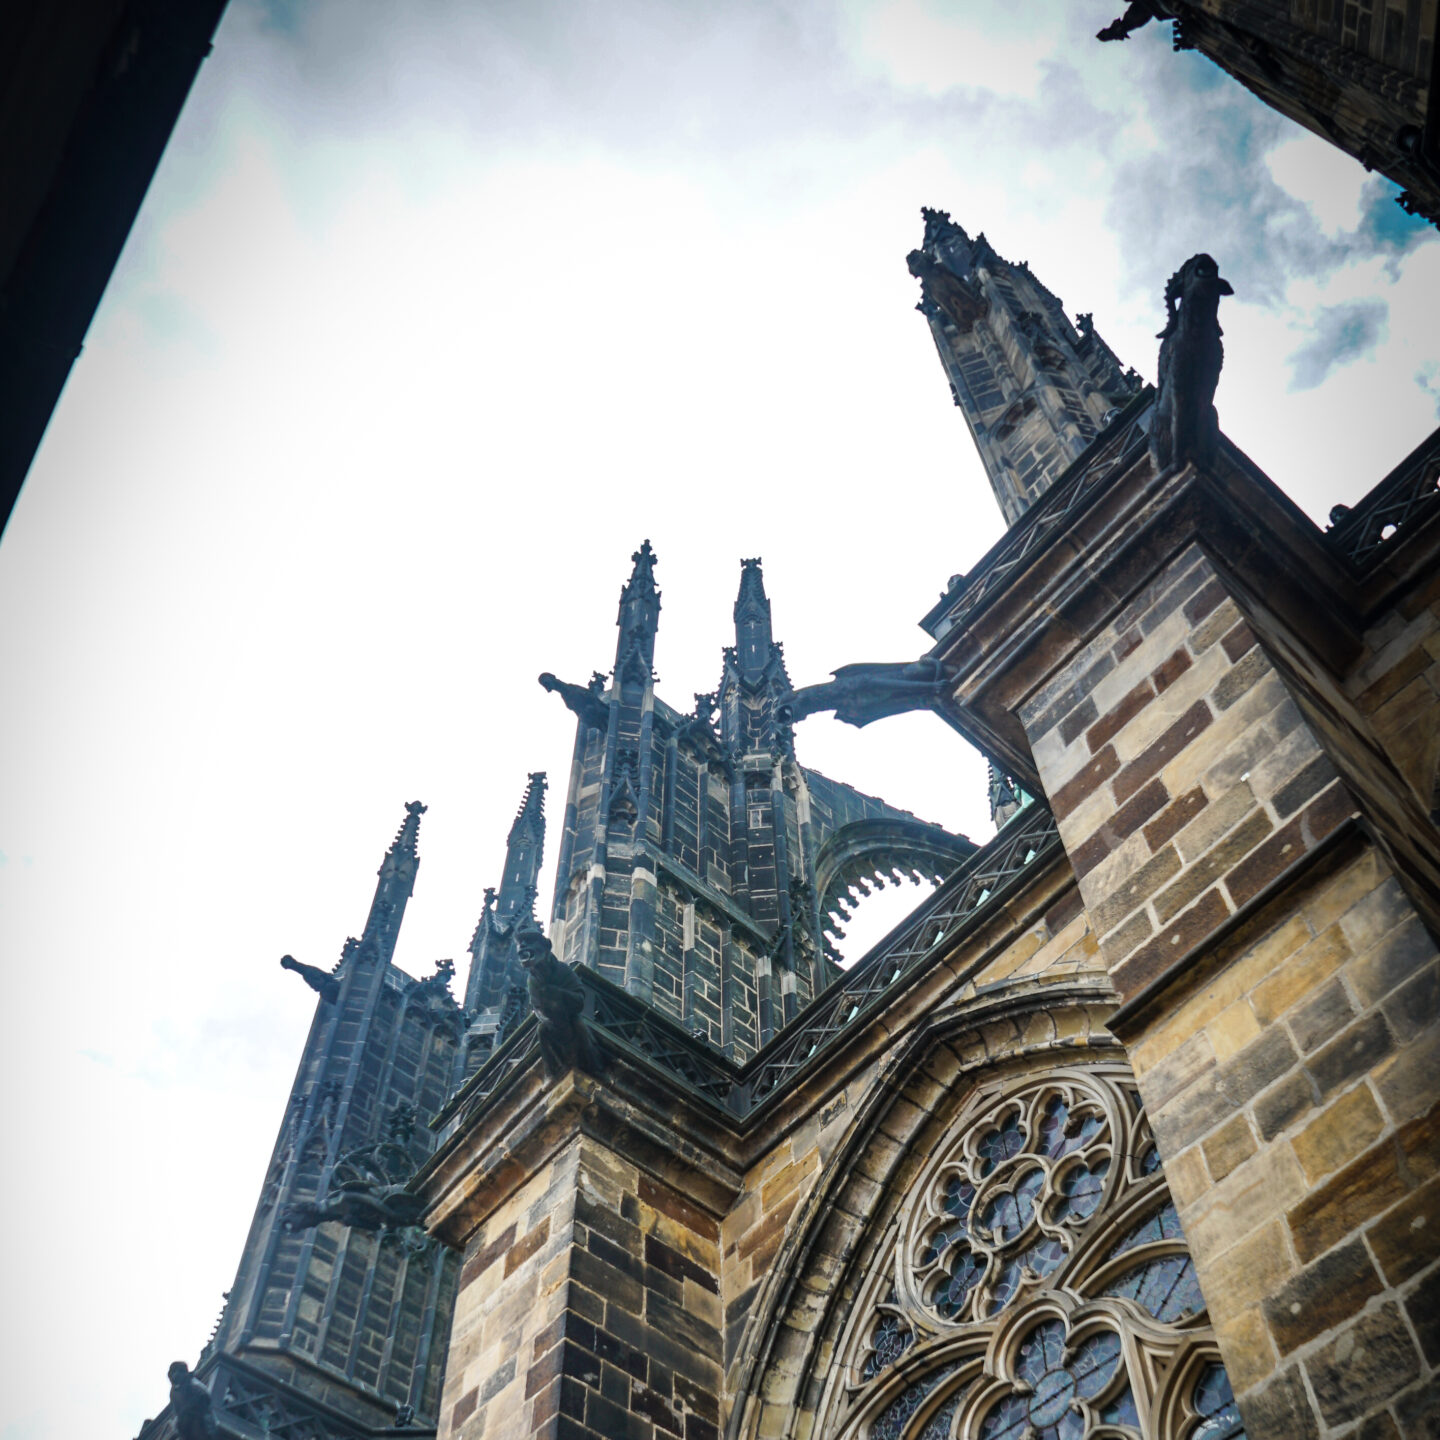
point(1180, 771)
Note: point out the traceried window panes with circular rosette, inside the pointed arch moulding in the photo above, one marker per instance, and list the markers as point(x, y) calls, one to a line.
point(1036, 1285)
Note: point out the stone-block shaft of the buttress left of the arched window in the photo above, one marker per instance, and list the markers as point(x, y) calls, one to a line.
point(590, 1310)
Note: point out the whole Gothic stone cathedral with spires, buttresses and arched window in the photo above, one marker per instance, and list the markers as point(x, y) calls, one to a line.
point(1130, 1133)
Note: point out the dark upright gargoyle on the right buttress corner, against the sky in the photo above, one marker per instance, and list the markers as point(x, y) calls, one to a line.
point(1186, 427)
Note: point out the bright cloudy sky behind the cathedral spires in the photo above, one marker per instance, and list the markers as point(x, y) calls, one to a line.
point(431, 316)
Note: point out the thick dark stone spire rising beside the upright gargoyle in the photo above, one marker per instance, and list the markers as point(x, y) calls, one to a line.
point(1035, 388)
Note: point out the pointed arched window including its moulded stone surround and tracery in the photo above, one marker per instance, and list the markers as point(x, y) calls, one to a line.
point(806, 1363)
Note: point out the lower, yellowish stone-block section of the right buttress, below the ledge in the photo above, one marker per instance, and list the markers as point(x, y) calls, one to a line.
point(1295, 1101)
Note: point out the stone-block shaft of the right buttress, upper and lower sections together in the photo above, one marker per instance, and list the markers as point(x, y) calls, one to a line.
point(1189, 786)
